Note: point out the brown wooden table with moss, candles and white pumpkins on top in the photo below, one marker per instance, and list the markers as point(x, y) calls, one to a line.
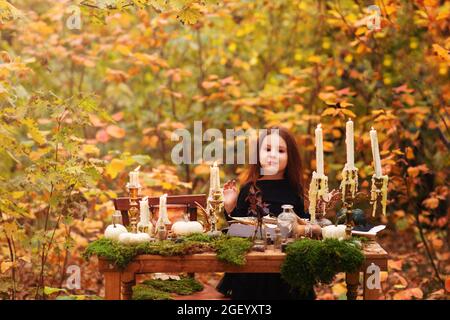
point(119, 283)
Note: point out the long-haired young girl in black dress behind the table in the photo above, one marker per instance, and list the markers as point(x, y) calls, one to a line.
point(278, 176)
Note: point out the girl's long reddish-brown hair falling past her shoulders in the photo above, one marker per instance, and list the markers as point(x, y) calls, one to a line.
point(294, 169)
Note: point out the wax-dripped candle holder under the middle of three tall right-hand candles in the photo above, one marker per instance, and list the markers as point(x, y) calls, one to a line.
point(349, 188)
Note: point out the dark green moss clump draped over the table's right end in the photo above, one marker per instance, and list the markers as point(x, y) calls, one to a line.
point(309, 262)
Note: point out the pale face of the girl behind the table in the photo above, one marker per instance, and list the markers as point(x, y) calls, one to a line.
point(273, 154)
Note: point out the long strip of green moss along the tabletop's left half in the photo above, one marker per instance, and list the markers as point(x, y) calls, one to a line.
point(229, 249)
